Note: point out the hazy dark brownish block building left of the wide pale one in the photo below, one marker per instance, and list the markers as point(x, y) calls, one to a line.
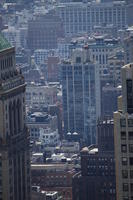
point(43, 31)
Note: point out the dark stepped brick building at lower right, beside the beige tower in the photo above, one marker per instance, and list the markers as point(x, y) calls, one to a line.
point(96, 181)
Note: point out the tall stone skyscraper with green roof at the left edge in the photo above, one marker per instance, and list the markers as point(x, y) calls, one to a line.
point(14, 143)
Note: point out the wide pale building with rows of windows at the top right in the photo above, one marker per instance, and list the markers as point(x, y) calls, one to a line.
point(81, 17)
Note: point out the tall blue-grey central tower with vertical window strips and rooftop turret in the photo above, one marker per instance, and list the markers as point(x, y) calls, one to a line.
point(81, 95)
